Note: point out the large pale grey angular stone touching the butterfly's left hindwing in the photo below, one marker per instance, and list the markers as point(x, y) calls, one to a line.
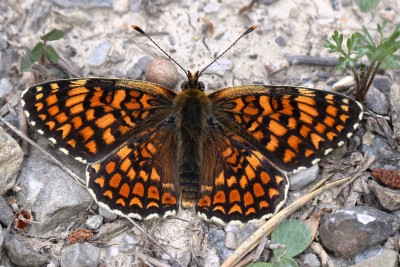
point(54, 197)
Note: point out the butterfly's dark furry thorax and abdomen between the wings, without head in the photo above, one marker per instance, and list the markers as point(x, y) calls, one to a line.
point(193, 107)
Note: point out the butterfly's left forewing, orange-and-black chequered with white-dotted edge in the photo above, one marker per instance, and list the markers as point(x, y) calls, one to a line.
point(88, 118)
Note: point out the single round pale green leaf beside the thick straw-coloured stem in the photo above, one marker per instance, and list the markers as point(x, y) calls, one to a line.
point(294, 235)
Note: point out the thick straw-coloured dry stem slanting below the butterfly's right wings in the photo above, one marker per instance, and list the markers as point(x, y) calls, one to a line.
point(267, 227)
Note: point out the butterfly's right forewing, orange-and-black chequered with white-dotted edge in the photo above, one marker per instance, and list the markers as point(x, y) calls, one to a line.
point(292, 127)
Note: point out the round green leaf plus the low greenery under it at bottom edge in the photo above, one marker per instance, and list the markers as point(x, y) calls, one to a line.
point(295, 237)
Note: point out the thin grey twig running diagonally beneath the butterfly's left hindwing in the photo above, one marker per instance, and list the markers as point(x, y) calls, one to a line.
point(73, 175)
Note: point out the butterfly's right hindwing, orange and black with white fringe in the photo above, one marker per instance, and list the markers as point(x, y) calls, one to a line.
point(237, 182)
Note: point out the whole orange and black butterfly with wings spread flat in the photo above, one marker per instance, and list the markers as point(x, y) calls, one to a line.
point(149, 149)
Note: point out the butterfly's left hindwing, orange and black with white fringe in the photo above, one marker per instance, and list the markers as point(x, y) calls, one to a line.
point(138, 180)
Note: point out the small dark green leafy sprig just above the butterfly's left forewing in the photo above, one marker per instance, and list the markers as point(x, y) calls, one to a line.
point(41, 56)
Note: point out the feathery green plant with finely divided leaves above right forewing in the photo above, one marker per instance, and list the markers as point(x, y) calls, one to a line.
point(381, 54)
